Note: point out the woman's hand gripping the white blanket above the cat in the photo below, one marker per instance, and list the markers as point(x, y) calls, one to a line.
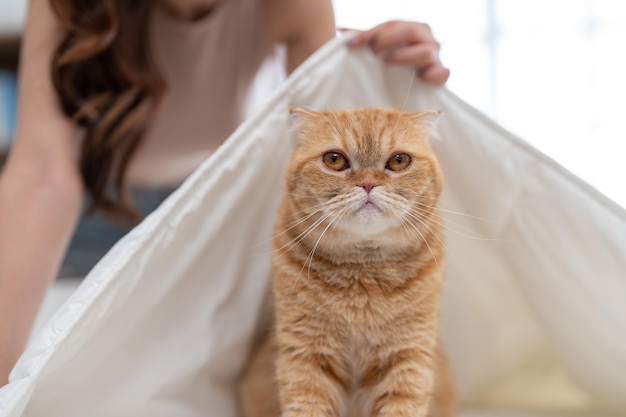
point(406, 43)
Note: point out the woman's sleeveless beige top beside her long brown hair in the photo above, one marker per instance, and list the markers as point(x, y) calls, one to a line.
point(209, 66)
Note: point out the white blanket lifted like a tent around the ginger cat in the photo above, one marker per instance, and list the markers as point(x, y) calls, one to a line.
point(163, 324)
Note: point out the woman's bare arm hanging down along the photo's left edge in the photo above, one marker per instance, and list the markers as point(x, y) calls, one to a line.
point(40, 189)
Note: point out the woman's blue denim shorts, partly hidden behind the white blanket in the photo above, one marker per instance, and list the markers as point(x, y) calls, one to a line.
point(96, 233)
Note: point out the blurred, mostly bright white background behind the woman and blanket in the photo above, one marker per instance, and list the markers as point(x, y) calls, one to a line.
point(550, 71)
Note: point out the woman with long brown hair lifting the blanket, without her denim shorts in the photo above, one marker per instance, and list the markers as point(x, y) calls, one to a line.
point(116, 93)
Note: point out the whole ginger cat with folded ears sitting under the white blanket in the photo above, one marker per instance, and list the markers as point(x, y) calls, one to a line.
point(358, 268)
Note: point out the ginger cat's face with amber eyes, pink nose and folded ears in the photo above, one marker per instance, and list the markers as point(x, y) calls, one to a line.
point(365, 172)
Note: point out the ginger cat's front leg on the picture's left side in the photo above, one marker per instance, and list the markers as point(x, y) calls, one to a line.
point(309, 384)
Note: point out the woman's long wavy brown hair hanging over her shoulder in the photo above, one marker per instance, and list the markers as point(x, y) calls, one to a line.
point(108, 83)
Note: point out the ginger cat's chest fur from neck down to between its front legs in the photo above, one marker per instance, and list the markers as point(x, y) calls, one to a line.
point(353, 319)
